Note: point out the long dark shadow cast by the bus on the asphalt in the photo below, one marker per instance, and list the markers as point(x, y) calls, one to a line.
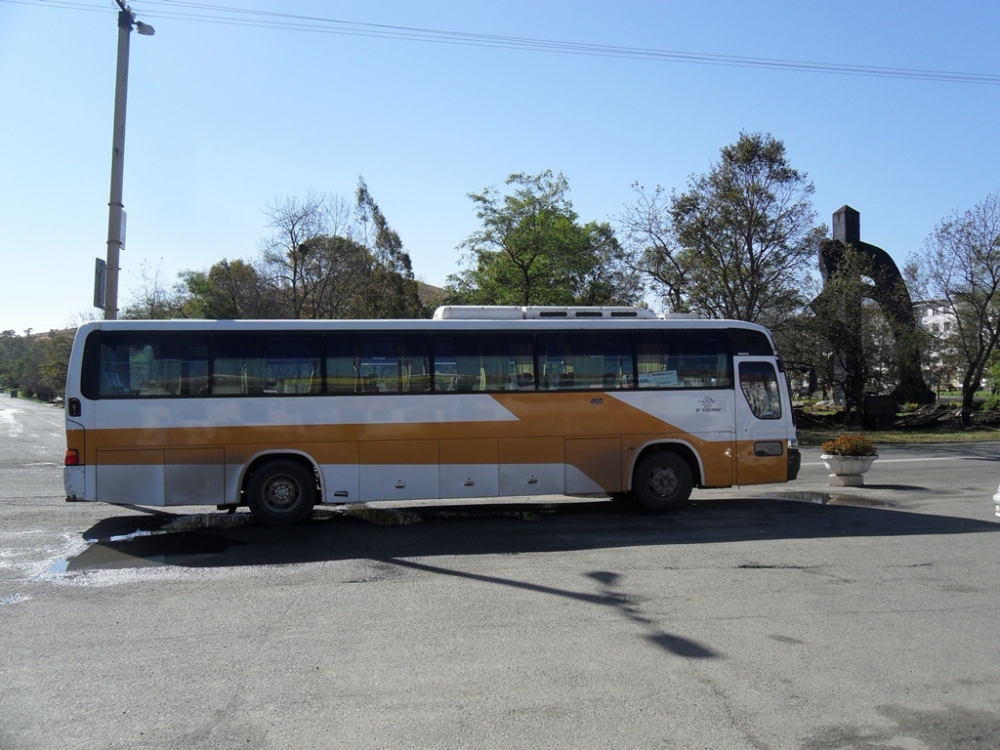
point(206, 540)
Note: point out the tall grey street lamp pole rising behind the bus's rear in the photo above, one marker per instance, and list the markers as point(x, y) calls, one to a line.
point(116, 214)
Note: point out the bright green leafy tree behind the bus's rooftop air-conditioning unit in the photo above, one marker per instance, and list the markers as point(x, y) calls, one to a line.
point(531, 250)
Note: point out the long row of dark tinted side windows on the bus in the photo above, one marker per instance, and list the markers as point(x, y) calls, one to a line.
point(181, 364)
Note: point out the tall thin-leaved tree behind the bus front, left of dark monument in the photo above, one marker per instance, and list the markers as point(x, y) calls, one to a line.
point(739, 243)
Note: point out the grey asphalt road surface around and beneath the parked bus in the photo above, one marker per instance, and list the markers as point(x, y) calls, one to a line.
point(788, 616)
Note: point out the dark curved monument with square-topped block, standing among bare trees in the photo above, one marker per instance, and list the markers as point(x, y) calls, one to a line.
point(890, 293)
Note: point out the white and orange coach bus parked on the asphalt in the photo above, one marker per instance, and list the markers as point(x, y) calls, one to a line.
point(478, 402)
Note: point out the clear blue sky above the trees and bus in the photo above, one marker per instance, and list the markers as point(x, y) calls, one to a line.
point(224, 118)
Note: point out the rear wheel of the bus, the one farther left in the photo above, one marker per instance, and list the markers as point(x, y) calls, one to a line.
point(281, 493)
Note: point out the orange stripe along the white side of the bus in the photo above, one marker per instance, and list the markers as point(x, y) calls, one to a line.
point(556, 428)
